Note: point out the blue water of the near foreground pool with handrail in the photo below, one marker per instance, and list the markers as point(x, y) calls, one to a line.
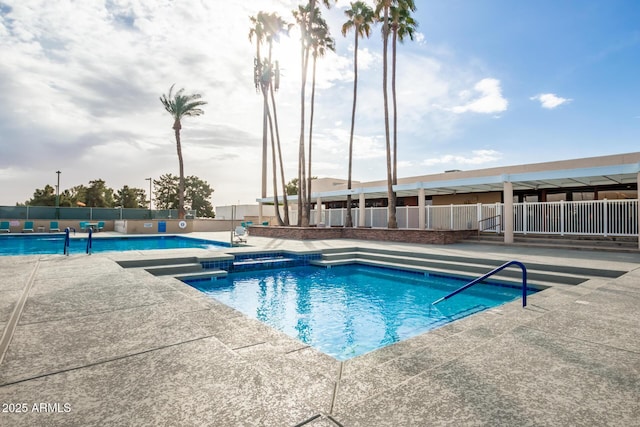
point(350, 310)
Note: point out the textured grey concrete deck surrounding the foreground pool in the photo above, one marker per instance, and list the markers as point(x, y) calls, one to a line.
point(95, 344)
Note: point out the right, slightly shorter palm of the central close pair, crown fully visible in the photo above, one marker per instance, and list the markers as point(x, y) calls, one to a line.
point(321, 41)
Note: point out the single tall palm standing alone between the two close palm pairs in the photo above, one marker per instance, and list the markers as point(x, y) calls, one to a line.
point(361, 17)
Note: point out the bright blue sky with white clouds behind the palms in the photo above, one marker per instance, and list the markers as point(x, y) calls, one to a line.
point(484, 83)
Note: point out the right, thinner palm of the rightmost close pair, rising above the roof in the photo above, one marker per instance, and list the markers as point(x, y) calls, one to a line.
point(402, 25)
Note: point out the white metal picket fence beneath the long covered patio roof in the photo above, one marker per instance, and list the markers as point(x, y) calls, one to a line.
point(596, 217)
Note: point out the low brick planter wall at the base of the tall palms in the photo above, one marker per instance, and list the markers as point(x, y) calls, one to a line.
point(378, 234)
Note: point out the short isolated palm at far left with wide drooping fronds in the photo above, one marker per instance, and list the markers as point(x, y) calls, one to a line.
point(179, 106)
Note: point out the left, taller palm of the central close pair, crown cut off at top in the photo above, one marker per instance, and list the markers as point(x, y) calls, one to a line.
point(305, 18)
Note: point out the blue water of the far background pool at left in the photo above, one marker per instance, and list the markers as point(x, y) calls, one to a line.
point(54, 244)
